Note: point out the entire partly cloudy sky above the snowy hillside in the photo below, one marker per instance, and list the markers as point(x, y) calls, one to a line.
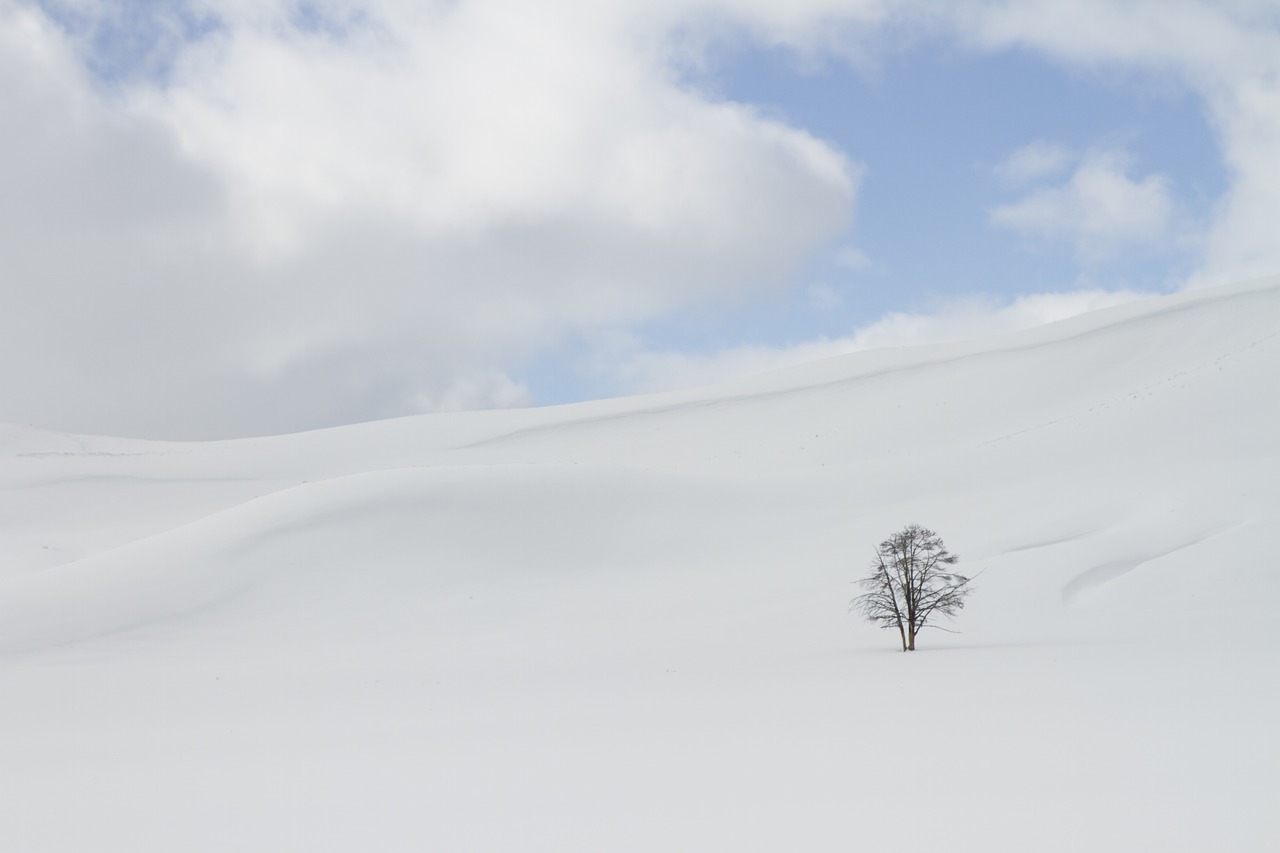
point(235, 218)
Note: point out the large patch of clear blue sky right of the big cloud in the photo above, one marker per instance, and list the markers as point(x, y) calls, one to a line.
point(932, 125)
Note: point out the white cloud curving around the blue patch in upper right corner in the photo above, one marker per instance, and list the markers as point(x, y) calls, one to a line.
point(1228, 53)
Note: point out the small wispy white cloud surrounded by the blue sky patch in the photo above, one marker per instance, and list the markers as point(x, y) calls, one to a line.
point(1099, 209)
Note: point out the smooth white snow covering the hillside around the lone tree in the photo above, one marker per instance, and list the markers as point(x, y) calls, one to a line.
point(623, 626)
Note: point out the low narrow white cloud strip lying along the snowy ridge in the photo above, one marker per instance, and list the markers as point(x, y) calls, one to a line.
point(959, 321)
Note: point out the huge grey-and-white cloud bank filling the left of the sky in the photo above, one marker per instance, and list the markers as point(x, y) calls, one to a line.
point(369, 215)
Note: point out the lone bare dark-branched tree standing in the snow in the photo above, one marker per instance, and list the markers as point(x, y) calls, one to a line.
point(911, 582)
